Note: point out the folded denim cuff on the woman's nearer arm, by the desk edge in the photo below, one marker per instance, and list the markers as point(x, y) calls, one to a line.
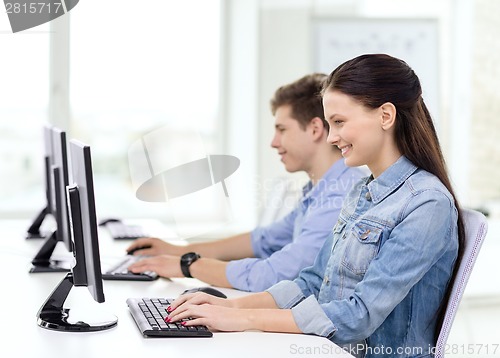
point(310, 318)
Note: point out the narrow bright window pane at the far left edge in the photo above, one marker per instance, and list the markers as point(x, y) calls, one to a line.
point(23, 111)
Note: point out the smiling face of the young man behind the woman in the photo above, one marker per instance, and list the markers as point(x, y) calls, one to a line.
point(294, 144)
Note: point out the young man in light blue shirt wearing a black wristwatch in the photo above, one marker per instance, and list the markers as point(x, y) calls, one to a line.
point(256, 260)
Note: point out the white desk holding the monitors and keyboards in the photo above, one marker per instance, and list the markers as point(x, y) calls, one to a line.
point(22, 295)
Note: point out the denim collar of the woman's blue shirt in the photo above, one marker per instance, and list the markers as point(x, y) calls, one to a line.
point(390, 179)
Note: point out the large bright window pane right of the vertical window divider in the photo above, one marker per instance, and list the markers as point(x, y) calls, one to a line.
point(138, 68)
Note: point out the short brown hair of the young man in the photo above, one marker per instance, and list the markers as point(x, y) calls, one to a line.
point(304, 98)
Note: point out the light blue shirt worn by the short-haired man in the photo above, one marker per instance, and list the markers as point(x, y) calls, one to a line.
point(285, 247)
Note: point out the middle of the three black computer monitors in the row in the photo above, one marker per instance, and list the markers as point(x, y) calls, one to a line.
point(59, 180)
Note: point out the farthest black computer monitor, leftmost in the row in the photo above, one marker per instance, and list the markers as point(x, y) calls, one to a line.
point(34, 231)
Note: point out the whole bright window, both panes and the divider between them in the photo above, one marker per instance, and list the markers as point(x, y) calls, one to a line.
point(135, 69)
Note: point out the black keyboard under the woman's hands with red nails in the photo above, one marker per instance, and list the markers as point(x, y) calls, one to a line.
point(150, 313)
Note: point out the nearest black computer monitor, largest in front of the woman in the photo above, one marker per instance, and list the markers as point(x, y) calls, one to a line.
point(87, 268)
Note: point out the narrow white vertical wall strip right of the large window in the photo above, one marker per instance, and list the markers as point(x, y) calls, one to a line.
point(239, 104)
